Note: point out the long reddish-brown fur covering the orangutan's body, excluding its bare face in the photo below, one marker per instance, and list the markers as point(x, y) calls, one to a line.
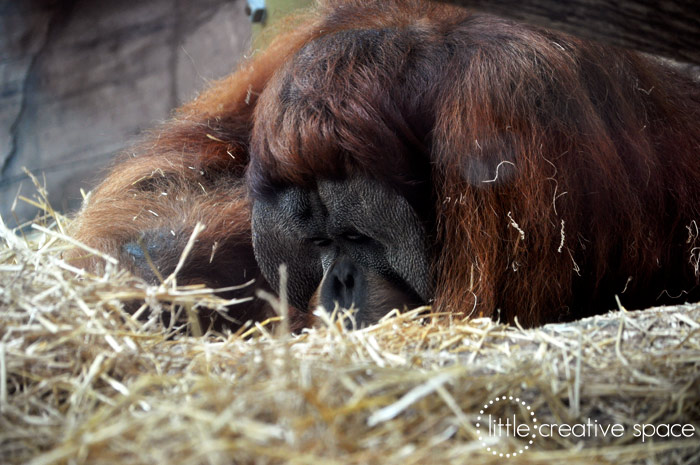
point(592, 153)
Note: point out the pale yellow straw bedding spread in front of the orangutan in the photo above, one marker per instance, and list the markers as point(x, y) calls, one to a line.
point(81, 381)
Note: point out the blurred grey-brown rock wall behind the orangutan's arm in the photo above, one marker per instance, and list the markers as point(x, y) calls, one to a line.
point(80, 79)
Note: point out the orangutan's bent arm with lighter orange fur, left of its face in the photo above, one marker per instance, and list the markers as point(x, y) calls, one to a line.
point(188, 171)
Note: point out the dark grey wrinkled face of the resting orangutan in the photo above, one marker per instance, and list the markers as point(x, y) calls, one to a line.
point(352, 243)
